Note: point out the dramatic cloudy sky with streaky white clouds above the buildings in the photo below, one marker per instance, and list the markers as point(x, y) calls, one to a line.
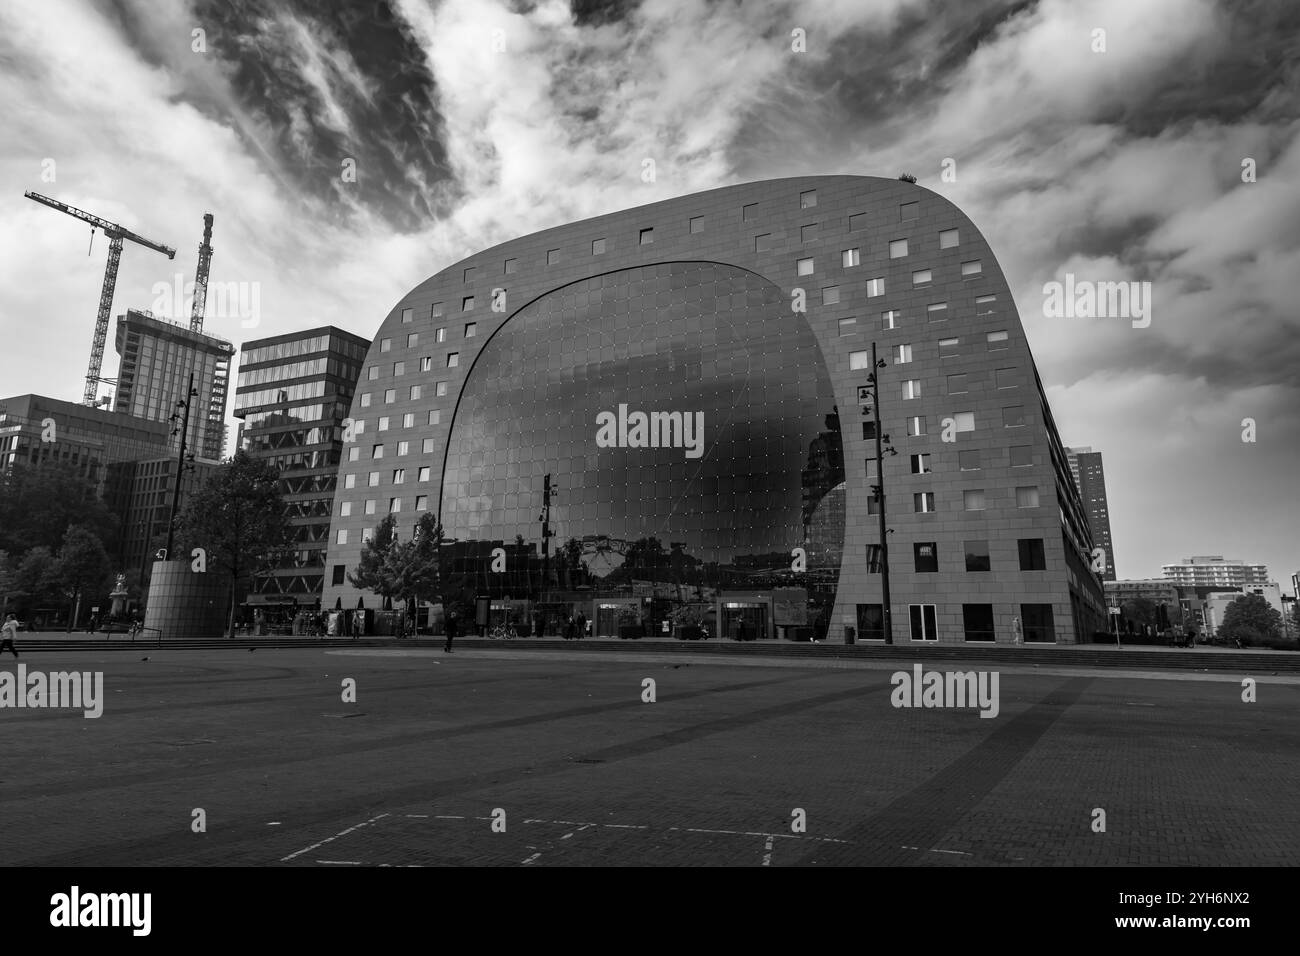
point(475, 122)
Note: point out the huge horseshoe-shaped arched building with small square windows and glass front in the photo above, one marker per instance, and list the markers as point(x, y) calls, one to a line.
point(687, 378)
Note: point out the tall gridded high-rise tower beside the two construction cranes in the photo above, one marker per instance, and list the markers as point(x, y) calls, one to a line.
point(158, 357)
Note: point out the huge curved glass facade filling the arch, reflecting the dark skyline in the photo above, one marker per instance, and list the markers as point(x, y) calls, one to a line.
point(720, 456)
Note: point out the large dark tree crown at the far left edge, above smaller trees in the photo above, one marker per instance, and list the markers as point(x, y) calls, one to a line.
point(38, 503)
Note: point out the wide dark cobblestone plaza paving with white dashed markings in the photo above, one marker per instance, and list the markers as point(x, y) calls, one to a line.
point(488, 758)
